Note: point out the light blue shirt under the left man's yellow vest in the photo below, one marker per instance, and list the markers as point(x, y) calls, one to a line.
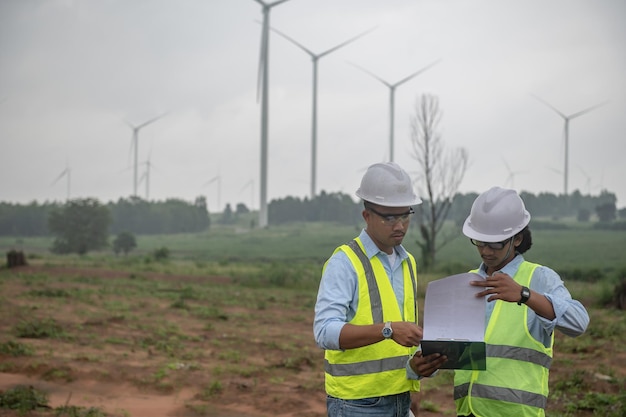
point(338, 297)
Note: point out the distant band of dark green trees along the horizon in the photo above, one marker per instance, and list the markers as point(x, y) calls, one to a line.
point(172, 216)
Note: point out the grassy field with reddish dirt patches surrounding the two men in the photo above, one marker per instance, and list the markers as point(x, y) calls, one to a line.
point(222, 326)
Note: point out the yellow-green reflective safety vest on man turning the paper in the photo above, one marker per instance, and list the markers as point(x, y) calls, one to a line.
point(516, 380)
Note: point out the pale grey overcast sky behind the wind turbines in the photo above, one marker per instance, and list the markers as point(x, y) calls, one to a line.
point(74, 74)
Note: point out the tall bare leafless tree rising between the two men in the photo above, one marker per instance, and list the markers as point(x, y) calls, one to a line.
point(439, 175)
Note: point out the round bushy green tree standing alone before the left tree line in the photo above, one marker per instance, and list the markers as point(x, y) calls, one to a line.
point(80, 225)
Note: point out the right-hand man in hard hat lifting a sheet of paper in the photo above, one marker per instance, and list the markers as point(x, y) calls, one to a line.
point(526, 303)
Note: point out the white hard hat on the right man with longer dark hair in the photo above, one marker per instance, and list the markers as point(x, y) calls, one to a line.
point(496, 215)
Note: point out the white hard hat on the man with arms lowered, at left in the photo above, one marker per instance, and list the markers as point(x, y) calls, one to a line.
point(388, 185)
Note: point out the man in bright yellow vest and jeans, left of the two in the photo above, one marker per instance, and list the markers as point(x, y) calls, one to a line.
point(366, 310)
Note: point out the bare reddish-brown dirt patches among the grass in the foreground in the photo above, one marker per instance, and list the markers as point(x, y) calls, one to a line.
point(112, 384)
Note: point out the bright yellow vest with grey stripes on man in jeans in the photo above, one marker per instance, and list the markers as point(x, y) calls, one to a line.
point(378, 369)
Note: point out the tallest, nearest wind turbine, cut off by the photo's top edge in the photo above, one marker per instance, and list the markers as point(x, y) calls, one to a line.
point(262, 87)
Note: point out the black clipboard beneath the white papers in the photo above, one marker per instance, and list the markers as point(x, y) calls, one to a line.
point(462, 354)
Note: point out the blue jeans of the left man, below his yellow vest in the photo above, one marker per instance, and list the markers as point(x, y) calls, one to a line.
point(389, 406)
